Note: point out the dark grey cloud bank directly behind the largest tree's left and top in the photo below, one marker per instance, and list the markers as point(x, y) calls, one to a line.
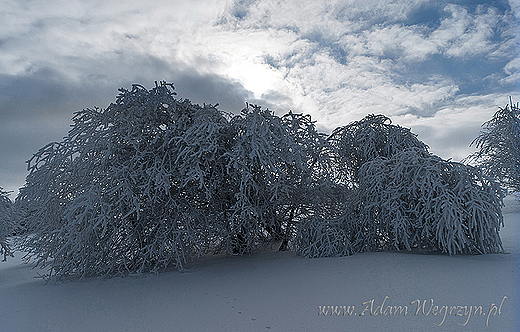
point(36, 107)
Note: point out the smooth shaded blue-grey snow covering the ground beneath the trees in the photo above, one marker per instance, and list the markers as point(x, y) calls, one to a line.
point(279, 291)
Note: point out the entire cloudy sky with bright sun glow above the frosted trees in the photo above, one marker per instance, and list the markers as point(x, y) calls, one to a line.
point(441, 68)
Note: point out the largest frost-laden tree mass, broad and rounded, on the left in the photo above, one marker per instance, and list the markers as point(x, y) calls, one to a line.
point(153, 181)
